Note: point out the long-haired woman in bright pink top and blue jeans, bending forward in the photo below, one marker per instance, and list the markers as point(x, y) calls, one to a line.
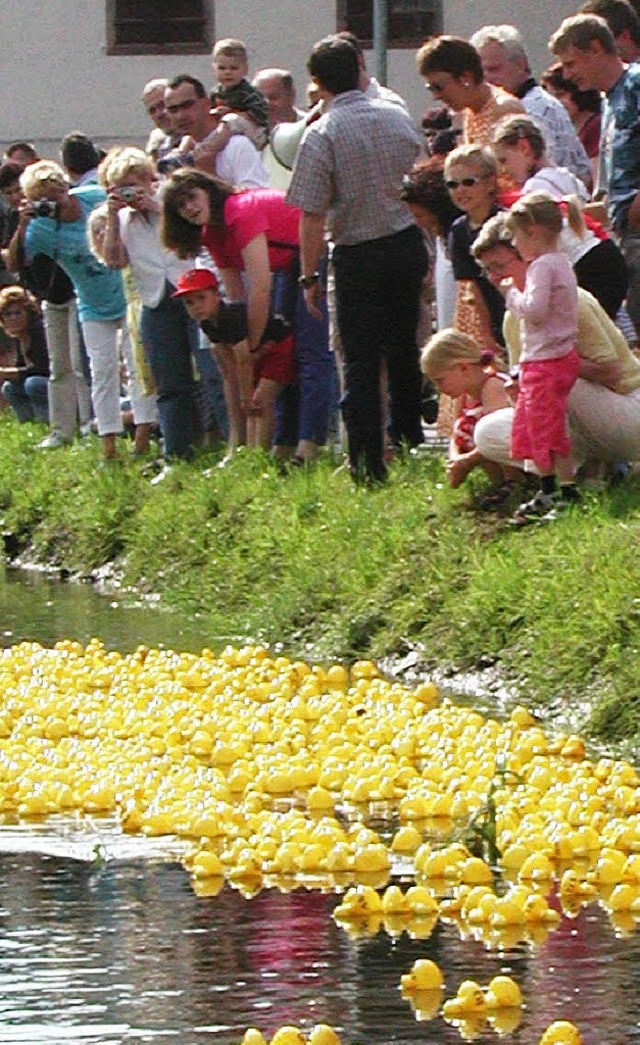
point(253, 236)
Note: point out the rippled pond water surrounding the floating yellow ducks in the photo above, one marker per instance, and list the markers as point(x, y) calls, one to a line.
point(123, 950)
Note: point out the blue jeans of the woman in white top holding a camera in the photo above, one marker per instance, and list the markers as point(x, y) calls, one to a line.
point(170, 338)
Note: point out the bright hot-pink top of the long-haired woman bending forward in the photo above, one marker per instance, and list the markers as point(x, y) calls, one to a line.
point(247, 216)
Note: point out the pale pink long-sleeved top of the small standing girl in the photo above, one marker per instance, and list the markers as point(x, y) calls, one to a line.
point(547, 309)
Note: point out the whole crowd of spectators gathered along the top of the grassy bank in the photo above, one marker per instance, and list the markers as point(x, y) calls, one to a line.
point(259, 263)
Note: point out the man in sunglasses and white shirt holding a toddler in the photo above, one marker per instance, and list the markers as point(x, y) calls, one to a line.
point(188, 104)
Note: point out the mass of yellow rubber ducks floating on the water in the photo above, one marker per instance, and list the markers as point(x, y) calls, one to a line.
point(271, 771)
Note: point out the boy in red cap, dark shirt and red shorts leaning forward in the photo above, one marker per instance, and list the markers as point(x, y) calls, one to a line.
point(256, 379)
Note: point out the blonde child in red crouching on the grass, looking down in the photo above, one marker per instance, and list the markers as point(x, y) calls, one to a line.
point(467, 373)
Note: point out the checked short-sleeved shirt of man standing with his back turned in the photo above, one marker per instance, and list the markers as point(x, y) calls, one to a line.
point(351, 164)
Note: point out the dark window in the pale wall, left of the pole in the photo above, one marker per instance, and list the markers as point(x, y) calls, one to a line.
point(159, 27)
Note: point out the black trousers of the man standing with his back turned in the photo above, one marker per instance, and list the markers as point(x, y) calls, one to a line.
point(378, 288)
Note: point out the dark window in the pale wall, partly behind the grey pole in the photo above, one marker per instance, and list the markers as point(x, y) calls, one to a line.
point(409, 22)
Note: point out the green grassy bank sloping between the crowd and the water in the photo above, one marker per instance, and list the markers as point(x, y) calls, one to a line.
point(329, 570)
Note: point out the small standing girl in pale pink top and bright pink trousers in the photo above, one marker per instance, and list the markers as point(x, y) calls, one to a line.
point(547, 309)
